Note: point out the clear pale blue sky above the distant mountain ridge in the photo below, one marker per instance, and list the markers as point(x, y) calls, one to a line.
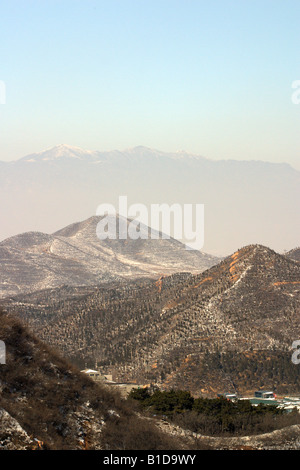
point(211, 78)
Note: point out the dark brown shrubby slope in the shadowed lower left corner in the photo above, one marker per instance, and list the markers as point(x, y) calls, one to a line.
point(46, 403)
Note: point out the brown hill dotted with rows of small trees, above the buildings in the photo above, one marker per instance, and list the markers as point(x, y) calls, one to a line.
point(229, 328)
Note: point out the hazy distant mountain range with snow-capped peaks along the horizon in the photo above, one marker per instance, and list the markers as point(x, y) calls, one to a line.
point(245, 202)
